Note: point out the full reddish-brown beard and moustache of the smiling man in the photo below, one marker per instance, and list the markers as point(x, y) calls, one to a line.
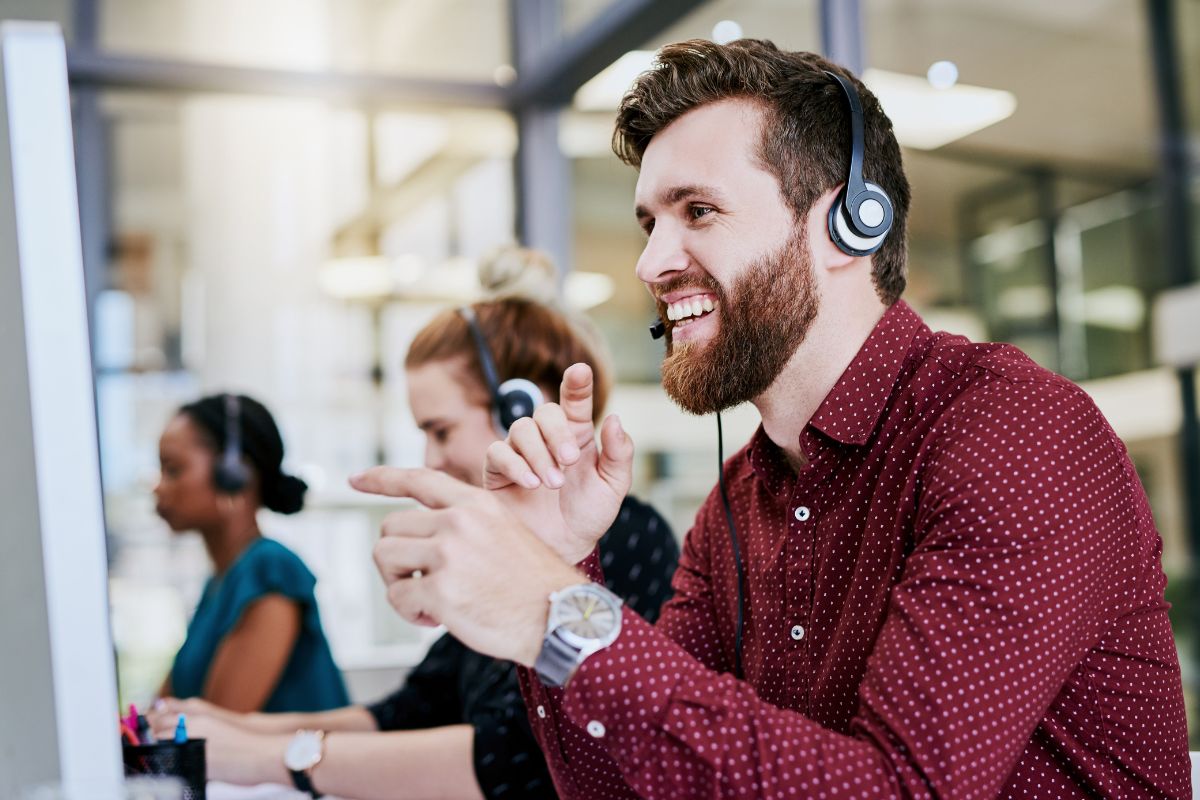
point(763, 320)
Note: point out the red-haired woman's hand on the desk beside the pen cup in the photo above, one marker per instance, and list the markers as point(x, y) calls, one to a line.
point(233, 755)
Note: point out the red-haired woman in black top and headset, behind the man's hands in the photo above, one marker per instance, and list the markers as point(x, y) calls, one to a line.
point(458, 727)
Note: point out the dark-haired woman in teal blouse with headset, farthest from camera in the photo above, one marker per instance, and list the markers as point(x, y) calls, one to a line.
point(255, 642)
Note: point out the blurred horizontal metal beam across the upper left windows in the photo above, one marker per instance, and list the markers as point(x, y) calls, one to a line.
point(91, 69)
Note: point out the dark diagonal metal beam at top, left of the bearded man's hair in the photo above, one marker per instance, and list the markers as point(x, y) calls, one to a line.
point(625, 26)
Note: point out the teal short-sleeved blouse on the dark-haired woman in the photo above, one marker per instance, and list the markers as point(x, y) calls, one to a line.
point(311, 681)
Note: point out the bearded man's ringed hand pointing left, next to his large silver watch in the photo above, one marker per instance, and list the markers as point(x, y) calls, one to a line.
point(465, 562)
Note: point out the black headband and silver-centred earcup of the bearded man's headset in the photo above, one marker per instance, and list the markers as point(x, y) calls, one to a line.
point(861, 218)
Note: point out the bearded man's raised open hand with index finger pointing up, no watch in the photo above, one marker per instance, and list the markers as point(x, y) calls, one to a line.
point(553, 476)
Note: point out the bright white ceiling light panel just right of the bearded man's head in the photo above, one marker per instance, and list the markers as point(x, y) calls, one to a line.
point(926, 118)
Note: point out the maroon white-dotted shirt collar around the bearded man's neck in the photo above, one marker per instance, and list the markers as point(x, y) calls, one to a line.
point(851, 411)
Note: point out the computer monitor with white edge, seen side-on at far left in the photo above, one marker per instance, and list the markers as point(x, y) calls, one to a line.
point(58, 689)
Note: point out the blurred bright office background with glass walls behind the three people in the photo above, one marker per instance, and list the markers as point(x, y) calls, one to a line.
point(275, 195)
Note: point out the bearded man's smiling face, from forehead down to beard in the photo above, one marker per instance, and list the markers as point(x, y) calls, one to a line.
point(725, 258)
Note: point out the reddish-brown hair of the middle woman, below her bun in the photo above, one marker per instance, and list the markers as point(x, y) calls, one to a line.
point(527, 340)
